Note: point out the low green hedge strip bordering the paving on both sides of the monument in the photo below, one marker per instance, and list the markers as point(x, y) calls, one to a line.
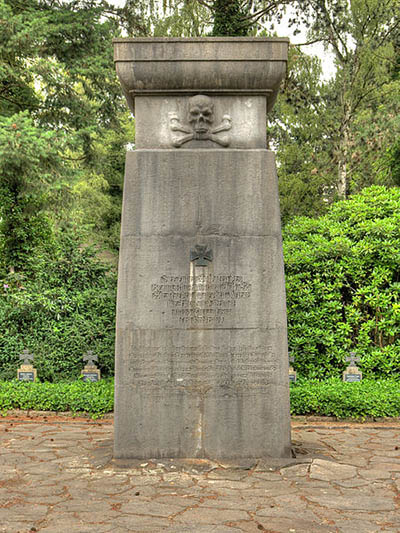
point(327, 398)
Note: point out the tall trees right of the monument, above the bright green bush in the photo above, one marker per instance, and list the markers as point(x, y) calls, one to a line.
point(336, 136)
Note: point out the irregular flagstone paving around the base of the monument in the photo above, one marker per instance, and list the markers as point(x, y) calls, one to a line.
point(55, 476)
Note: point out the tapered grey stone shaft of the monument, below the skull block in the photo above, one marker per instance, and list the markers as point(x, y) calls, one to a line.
point(206, 377)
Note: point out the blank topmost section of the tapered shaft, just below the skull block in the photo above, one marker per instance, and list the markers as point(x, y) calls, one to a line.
point(201, 192)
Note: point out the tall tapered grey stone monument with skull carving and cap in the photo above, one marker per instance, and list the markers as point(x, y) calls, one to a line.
point(201, 346)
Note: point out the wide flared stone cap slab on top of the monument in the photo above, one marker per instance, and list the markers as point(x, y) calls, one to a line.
point(203, 65)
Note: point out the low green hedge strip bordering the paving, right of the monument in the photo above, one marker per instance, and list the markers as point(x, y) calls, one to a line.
point(334, 397)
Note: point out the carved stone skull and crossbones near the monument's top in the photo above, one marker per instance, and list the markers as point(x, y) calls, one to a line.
point(200, 118)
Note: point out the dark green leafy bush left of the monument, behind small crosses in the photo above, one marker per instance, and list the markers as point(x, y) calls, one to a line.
point(60, 306)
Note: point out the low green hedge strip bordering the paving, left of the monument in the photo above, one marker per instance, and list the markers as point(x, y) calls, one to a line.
point(79, 396)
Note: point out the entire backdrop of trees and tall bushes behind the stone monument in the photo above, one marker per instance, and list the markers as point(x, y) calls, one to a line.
point(64, 129)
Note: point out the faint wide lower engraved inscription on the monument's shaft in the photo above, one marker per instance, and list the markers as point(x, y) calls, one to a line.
point(202, 366)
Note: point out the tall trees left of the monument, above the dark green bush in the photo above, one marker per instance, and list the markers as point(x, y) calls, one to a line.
point(63, 122)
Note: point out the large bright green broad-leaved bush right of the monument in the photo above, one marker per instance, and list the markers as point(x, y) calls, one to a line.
point(343, 286)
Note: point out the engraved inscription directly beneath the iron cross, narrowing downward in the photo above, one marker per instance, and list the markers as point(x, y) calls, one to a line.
point(201, 299)
